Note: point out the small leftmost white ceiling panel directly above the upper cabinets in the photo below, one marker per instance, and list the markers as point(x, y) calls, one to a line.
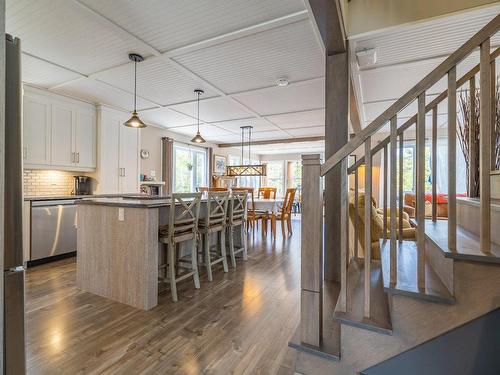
point(40, 73)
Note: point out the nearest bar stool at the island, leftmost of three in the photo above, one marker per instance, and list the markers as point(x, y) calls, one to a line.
point(182, 226)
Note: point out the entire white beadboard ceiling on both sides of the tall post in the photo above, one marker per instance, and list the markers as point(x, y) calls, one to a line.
point(235, 50)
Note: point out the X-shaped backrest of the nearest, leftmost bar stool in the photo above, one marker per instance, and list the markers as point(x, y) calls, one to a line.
point(184, 213)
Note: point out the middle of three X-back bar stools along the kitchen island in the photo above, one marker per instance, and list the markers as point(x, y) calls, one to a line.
point(214, 222)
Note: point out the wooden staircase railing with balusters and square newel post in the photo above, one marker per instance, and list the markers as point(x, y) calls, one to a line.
point(312, 229)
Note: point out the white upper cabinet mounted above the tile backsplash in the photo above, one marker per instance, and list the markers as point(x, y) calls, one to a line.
point(59, 133)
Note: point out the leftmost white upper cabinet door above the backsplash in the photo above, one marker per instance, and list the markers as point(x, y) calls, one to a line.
point(36, 131)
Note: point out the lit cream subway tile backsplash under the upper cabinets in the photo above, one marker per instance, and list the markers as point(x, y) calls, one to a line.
point(48, 182)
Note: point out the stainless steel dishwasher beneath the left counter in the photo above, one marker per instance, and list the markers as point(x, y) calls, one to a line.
point(53, 228)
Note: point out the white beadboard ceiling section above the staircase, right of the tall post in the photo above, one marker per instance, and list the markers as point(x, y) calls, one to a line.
point(407, 53)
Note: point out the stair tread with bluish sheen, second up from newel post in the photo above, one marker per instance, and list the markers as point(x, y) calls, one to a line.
point(406, 284)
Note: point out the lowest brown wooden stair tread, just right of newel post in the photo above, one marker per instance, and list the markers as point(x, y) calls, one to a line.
point(380, 320)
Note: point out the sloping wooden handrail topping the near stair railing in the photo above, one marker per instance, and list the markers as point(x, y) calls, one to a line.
point(427, 82)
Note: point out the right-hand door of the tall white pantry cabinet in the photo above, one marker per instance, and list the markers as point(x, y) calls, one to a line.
point(129, 162)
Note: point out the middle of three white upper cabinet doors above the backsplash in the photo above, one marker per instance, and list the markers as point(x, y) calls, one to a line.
point(62, 150)
